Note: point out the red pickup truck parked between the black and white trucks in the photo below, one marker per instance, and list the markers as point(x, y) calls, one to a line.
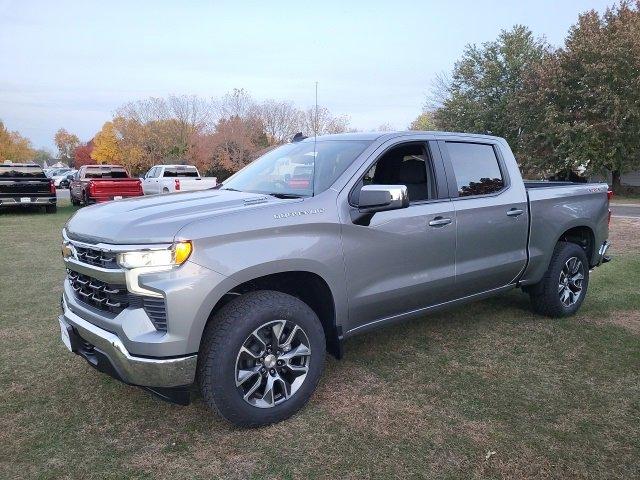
point(101, 183)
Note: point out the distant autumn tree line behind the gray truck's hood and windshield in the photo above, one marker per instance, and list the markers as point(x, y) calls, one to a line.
point(219, 135)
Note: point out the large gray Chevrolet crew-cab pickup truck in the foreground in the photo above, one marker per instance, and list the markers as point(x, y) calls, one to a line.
point(240, 290)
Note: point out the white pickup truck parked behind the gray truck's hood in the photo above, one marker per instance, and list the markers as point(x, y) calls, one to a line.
point(175, 178)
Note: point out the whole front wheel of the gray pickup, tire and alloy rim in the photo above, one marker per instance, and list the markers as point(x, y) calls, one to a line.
point(261, 357)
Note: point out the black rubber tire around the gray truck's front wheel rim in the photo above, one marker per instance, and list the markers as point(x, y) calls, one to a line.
point(227, 332)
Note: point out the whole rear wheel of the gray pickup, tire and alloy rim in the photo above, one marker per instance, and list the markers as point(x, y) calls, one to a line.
point(564, 285)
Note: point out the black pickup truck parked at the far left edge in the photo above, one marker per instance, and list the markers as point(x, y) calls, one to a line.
point(25, 184)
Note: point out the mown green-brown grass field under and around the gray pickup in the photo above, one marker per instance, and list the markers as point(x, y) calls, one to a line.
point(483, 391)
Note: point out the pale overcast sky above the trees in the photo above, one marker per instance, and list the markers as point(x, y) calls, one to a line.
point(71, 64)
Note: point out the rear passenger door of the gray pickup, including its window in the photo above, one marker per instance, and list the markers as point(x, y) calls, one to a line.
point(491, 214)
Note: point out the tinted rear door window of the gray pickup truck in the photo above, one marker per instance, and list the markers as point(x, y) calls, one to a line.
point(476, 168)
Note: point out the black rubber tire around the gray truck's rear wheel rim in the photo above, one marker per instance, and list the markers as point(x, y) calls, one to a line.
point(545, 295)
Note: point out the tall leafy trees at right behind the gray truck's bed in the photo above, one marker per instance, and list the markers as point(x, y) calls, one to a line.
point(568, 110)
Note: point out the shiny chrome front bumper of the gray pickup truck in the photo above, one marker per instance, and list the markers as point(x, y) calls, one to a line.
point(142, 371)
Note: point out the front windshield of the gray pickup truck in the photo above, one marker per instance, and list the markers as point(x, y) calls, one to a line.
point(297, 169)
